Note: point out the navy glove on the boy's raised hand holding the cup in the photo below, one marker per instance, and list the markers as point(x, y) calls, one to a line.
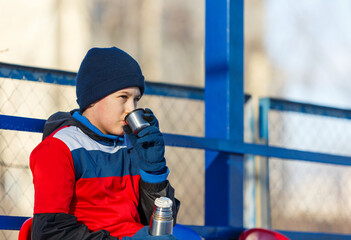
point(148, 145)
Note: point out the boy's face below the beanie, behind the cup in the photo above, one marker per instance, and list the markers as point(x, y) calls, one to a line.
point(108, 113)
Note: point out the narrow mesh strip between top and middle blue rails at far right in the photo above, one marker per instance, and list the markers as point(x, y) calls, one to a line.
point(310, 132)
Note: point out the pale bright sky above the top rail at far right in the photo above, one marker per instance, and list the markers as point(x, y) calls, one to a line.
point(310, 42)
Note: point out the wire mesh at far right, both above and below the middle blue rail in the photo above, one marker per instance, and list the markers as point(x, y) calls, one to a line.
point(309, 196)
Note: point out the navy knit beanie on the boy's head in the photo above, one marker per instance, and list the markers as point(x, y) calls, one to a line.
point(104, 71)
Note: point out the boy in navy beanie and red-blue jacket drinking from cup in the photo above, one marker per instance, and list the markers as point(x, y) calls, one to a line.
point(93, 178)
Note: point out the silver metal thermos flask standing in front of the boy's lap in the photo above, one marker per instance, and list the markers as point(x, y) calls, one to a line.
point(161, 222)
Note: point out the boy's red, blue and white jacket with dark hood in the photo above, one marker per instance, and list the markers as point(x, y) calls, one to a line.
point(87, 186)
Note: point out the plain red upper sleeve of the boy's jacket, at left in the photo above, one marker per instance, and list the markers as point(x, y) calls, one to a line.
point(53, 176)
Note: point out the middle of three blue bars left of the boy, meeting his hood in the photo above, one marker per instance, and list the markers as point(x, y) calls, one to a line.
point(21, 123)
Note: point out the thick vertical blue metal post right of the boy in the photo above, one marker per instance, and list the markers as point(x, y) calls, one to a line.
point(224, 101)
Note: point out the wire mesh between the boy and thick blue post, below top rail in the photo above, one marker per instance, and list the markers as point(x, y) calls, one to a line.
point(183, 116)
